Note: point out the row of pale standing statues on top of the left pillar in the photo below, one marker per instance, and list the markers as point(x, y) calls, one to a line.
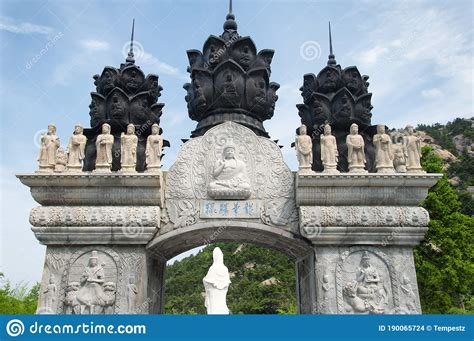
point(53, 158)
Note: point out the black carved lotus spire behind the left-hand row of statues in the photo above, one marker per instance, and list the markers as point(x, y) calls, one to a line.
point(123, 96)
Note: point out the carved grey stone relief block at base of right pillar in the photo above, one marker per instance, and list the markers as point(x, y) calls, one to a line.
point(366, 280)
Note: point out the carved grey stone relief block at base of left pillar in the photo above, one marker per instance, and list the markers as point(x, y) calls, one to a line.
point(94, 280)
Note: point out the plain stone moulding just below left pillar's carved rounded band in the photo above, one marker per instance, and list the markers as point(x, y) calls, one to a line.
point(82, 235)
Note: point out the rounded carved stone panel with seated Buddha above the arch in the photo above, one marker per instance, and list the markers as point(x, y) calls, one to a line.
point(230, 173)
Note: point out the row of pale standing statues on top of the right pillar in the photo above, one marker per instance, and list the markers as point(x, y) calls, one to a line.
point(389, 158)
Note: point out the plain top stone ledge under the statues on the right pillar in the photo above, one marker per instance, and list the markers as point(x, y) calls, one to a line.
point(363, 189)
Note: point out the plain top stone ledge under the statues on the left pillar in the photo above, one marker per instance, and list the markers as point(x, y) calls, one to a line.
point(91, 189)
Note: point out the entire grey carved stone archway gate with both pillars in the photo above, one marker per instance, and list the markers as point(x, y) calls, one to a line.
point(351, 235)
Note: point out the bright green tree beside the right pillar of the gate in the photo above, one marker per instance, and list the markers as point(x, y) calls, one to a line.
point(444, 260)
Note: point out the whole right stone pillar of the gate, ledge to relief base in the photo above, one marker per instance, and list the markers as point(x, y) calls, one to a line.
point(363, 228)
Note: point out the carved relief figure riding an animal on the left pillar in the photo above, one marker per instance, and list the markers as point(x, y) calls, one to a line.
point(90, 295)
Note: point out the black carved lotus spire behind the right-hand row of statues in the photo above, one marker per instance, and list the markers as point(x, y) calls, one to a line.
point(338, 97)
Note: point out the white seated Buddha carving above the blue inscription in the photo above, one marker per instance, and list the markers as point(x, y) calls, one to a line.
point(230, 177)
